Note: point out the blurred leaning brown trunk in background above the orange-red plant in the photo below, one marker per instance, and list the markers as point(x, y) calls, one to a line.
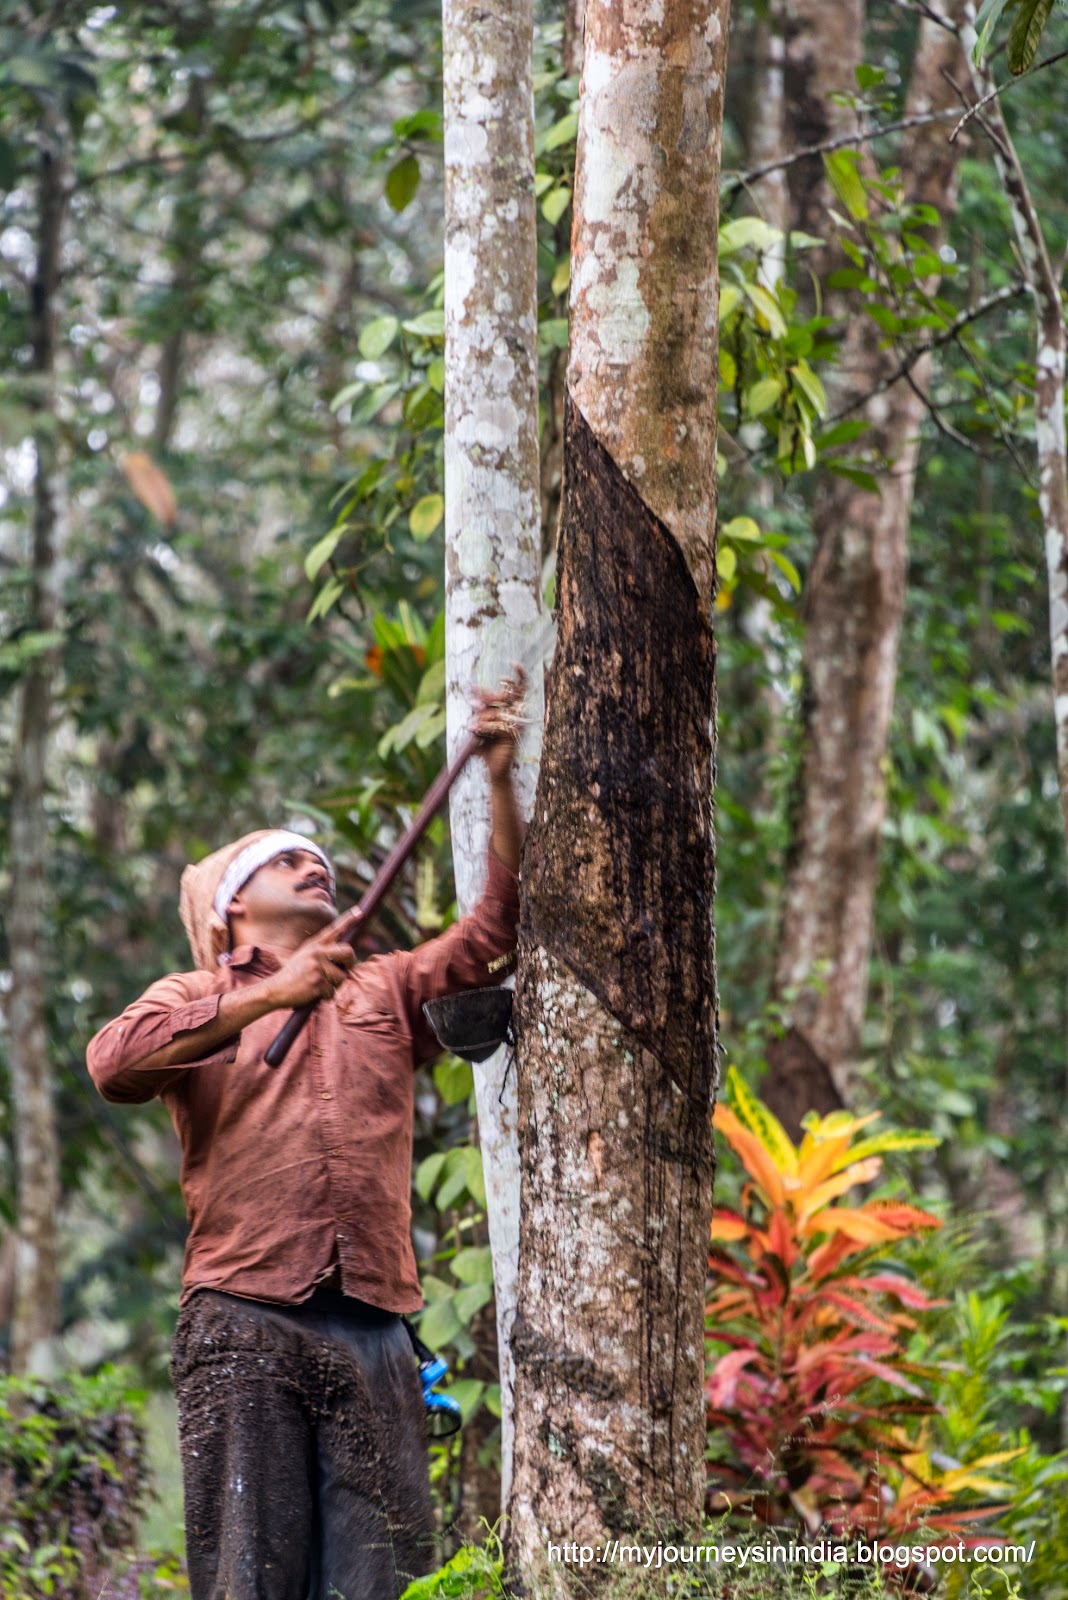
point(853, 609)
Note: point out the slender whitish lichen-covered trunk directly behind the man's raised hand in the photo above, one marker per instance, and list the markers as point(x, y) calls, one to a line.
point(492, 495)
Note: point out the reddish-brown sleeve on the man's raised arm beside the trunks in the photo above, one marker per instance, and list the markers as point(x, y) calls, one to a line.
point(476, 953)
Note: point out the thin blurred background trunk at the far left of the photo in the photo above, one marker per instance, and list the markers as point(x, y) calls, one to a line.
point(36, 1321)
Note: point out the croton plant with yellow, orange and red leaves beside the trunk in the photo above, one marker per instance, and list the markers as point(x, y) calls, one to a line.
point(819, 1422)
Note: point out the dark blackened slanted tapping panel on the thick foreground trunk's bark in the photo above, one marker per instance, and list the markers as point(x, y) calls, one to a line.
point(623, 889)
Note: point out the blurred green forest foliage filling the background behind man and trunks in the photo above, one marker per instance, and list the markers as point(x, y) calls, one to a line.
point(252, 326)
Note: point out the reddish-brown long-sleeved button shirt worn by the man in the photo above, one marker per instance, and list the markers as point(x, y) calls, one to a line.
point(293, 1172)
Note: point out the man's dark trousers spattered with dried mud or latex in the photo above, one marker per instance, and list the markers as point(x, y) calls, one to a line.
point(305, 1450)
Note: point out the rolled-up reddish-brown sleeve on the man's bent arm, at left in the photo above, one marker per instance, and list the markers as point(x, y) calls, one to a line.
point(172, 1007)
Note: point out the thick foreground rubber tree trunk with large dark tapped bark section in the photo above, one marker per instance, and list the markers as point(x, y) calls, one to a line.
point(618, 986)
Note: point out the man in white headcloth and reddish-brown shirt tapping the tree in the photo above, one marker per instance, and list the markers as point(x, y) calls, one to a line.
point(301, 1417)
